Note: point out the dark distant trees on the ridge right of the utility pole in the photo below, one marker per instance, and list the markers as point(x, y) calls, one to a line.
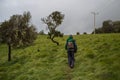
point(109, 27)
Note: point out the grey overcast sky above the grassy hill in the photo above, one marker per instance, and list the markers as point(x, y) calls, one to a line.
point(78, 16)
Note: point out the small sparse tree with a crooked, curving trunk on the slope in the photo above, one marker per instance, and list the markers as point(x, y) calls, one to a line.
point(53, 21)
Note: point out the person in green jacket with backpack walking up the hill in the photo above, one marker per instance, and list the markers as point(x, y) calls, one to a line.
point(71, 48)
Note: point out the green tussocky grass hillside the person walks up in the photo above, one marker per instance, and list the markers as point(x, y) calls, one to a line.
point(98, 58)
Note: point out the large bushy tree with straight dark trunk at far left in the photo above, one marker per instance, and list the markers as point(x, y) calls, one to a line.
point(17, 31)
